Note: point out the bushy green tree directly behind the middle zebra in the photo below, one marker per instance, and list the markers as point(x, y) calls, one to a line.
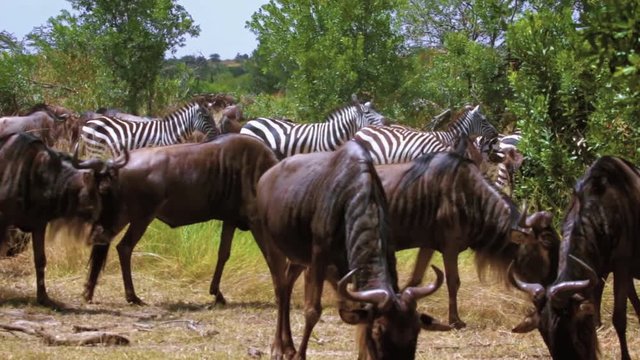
point(320, 52)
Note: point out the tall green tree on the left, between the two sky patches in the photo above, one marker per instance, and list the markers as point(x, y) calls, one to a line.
point(132, 36)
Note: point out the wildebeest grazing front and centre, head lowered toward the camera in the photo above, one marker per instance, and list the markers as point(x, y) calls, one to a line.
point(328, 208)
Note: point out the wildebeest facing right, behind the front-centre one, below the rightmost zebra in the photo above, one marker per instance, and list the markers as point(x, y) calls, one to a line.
point(441, 201)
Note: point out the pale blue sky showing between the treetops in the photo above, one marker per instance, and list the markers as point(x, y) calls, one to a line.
point(222, 23)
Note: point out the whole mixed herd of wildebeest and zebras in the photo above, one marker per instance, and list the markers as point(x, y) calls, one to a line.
point(334, 200)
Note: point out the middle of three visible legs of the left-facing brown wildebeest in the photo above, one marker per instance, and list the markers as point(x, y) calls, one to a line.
point(125, 249)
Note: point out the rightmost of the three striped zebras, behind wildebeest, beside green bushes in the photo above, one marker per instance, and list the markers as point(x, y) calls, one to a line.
point(397, 143)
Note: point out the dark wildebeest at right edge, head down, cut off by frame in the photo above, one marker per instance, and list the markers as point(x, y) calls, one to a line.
point(600, 236)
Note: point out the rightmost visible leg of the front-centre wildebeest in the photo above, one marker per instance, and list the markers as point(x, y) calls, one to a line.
point(314, 280)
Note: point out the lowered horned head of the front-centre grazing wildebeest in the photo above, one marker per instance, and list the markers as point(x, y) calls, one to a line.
point(389, 324)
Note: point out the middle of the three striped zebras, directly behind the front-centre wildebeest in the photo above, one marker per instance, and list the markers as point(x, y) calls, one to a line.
point(287, 138)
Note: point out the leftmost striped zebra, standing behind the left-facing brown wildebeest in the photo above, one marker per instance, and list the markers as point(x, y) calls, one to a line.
point(104, 135)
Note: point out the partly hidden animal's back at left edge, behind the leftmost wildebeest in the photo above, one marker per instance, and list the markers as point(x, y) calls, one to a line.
point(42, 121)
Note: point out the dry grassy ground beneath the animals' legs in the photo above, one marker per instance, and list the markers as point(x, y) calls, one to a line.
point(172, 270)
